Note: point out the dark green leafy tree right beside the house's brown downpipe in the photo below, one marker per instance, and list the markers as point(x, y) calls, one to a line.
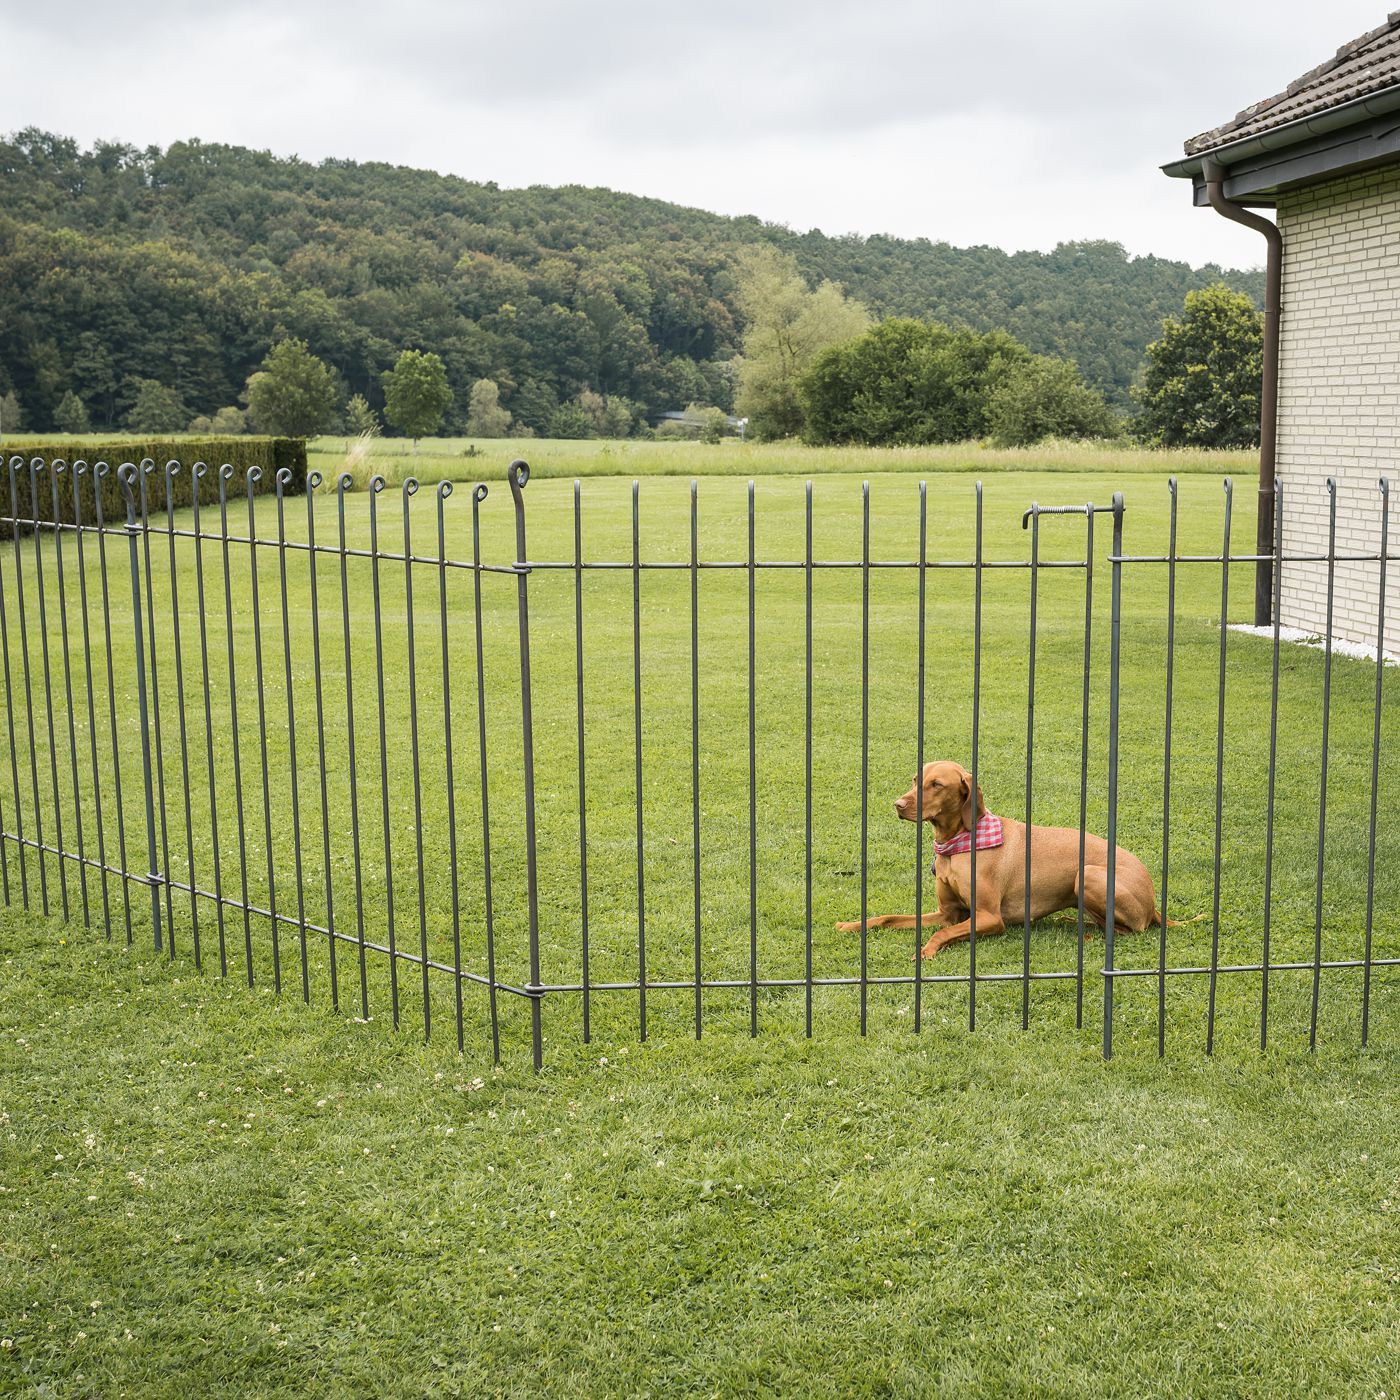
point(1202, 380)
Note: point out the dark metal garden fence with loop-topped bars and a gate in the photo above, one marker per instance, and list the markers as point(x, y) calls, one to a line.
point(149, 799)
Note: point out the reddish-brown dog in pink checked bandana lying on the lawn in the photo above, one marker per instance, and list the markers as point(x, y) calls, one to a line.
point(1002, 870)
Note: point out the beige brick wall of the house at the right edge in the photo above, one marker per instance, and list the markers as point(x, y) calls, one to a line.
point(1339, 395)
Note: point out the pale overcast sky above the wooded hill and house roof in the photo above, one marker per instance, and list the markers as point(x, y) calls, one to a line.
point(1006, 122)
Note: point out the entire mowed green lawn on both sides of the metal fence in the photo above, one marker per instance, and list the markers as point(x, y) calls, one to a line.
point(983, 1213)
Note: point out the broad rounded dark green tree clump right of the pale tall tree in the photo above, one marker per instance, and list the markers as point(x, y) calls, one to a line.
point(906, 383)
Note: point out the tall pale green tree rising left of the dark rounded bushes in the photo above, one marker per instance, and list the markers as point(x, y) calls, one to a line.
point(789, 327)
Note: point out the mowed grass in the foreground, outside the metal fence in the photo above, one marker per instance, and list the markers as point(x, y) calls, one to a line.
point(211, 1191)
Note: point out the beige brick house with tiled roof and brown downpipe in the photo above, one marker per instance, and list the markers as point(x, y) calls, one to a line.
point(1325, 156)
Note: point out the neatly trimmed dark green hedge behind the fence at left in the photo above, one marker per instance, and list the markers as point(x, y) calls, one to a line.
point(240, 453)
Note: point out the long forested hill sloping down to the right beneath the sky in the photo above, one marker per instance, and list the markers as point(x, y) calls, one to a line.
point(185, 265)
